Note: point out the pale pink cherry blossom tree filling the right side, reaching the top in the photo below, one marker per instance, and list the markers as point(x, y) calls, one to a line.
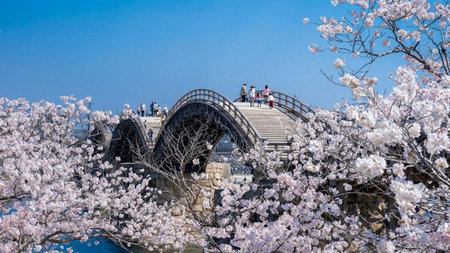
point(367, 176)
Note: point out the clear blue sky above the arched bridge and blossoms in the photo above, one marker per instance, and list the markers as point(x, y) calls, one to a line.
point(121, 52)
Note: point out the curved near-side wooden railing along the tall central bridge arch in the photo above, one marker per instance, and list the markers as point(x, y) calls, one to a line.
point(218, 99)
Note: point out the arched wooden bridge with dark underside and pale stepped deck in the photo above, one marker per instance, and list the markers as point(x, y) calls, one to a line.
point(214, 115)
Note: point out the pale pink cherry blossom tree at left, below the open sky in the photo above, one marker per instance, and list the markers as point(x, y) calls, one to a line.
point(56, 188)
